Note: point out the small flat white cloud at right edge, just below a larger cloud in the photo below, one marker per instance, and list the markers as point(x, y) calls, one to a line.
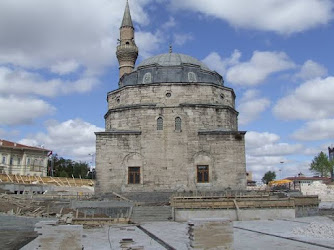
point(316, 130)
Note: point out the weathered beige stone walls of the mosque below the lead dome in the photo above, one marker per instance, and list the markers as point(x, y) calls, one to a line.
point(169, 158)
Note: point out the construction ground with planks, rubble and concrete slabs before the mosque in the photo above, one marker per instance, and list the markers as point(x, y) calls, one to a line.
point(63, 213)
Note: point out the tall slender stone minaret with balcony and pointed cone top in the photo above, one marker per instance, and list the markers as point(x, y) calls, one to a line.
point(127, 51)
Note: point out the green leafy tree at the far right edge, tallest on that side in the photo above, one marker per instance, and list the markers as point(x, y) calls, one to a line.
point(321, 165)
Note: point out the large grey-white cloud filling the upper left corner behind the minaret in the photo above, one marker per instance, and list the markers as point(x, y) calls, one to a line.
point(63, 31)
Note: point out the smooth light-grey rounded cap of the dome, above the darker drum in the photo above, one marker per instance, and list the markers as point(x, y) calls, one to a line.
point(172, 59)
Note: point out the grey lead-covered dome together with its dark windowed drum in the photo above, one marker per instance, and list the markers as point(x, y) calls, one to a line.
point(171, 68)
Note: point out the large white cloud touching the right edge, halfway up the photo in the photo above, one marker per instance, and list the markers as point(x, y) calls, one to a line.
point(311, 100)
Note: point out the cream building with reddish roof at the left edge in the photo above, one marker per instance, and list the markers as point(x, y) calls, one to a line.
point(20, 159)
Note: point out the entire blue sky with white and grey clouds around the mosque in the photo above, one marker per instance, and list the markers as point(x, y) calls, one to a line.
point(57, 63)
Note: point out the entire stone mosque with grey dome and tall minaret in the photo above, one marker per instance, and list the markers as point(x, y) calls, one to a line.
point(171, 126)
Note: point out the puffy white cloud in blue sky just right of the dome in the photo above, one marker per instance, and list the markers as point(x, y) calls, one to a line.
point(260, 66)
